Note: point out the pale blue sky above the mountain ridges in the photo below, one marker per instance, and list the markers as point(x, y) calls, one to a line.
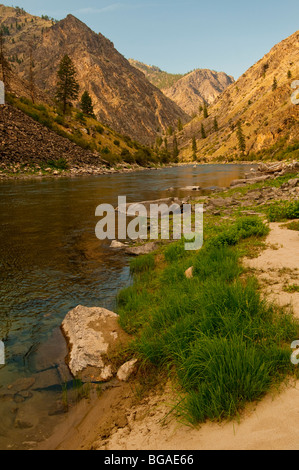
point(181, 35)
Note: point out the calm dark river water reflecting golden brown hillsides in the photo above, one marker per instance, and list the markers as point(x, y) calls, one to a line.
point(50, 262)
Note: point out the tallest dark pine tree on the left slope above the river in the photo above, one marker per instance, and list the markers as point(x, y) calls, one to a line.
point(67, 86)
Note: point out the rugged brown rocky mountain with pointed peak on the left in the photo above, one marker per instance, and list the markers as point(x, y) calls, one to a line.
point(122, 96)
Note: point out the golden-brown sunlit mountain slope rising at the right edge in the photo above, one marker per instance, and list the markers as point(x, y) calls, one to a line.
point(259, 103)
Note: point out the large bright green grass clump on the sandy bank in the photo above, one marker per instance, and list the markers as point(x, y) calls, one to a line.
point(222, 343)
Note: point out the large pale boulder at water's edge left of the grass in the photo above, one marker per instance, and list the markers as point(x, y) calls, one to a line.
point(93, 334)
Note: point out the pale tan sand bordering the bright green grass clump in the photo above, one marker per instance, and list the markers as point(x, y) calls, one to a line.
point(271, 424)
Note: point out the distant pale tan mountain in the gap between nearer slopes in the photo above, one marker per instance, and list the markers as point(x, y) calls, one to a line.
point(198, 87)
